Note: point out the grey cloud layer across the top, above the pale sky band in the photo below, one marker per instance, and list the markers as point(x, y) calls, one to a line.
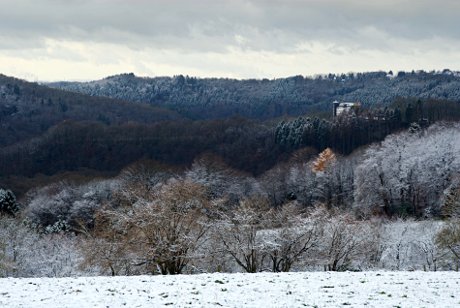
point(213, 25)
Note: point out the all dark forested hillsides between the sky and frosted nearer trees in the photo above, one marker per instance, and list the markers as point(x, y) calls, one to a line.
point(47, 131)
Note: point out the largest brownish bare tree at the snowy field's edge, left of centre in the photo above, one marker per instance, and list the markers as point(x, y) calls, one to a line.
point(160, 233)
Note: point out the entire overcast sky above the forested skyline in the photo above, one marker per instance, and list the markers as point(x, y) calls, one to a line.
point(90, 39)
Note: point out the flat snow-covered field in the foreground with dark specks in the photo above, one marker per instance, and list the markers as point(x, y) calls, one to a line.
point(317, 289)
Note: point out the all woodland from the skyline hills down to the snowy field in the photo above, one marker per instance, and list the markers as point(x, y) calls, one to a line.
point(132, 175)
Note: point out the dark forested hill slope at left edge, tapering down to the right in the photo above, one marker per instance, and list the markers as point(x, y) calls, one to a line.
point(28, 110)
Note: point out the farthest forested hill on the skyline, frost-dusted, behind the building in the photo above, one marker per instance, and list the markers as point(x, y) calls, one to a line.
point(212, 98)
